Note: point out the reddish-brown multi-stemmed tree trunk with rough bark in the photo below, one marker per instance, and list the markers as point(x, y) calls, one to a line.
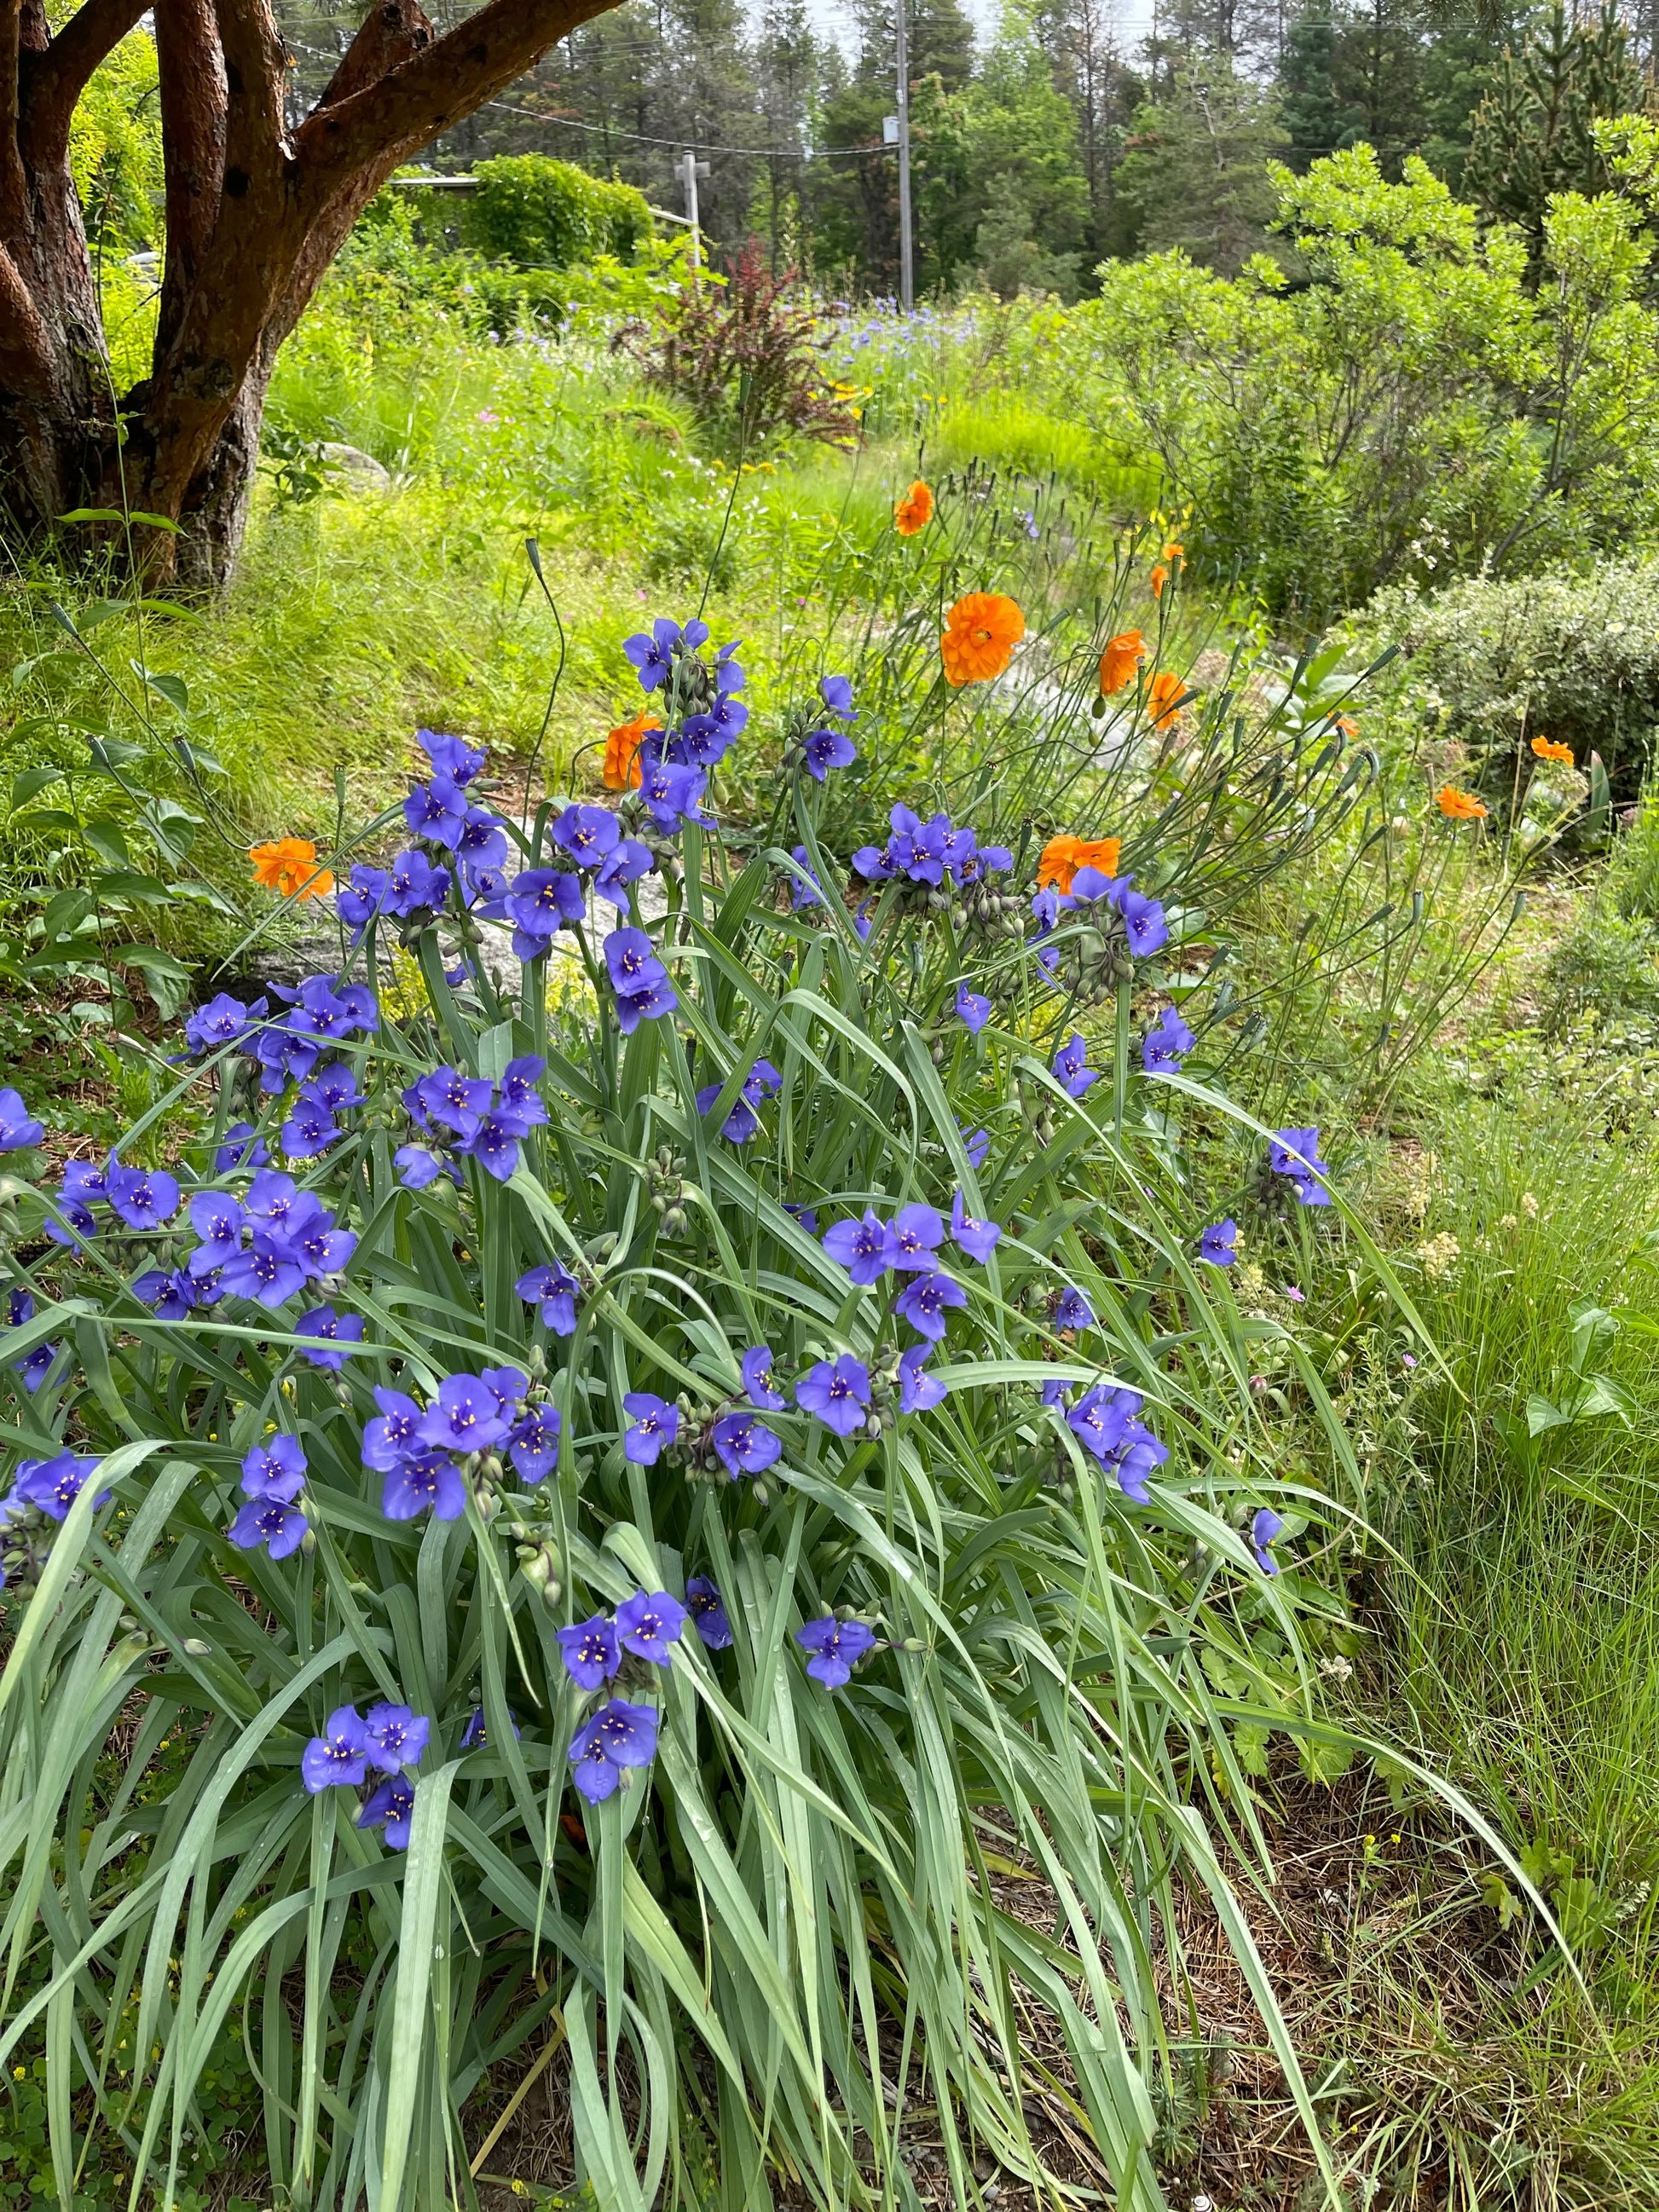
point(253, 220)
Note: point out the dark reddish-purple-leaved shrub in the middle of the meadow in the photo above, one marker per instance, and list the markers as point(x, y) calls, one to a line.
point(747, 353)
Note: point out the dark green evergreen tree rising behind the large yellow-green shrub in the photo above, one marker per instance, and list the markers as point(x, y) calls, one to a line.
point(1534, 132)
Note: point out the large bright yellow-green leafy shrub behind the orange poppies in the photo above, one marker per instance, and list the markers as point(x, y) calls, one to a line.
point(1404, 410)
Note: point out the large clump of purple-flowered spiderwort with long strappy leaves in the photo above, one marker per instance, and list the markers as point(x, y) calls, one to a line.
point(727, 1443)
